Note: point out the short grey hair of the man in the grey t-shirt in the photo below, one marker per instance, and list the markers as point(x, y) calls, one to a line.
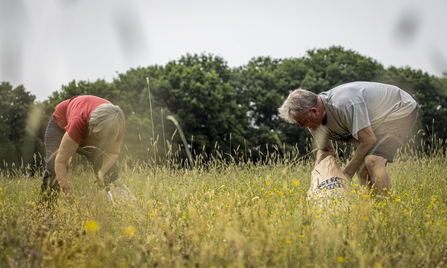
point(299, 102)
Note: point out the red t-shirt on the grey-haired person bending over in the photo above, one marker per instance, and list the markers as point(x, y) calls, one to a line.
point(73, 116)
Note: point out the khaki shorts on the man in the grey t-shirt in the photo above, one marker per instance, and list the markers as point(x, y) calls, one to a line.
point(387, 144)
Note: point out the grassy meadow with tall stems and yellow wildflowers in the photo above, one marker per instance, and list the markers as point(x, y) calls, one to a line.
point(229, 215)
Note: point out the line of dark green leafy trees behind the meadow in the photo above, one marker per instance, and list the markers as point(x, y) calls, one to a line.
point(222, 110)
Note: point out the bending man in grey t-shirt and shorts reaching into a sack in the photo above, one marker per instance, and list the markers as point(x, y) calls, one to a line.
point(375, 116)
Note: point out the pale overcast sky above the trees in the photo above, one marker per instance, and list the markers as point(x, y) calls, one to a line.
point(45, 44)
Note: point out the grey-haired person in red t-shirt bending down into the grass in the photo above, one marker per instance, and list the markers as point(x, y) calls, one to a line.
point(90, 126)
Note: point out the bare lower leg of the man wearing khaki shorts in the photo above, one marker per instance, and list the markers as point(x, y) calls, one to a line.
point(379, 178)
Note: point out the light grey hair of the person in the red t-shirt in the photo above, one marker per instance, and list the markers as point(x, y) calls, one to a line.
point(107, 119)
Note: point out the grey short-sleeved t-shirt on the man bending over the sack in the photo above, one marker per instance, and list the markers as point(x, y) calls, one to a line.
point(354, 106)
